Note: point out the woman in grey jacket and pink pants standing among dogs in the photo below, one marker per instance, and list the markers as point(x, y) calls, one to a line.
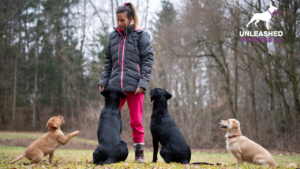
point(128, 62)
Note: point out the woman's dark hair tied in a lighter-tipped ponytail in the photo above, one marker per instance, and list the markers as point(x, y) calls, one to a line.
point(130, 12)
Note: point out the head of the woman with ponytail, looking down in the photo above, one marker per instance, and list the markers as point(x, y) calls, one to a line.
point(125, 14)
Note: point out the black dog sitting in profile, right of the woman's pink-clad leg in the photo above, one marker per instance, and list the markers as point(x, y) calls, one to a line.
point(164, 130)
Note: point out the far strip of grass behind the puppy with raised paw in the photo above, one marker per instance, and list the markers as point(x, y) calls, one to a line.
point(29, 135)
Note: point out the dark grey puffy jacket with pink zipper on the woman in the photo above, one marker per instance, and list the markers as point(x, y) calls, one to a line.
point(129, 59)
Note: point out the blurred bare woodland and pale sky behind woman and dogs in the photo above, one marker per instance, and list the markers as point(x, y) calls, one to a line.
point(52, 57)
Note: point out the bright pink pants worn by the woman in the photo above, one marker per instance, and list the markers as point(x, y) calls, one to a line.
point(135, 105)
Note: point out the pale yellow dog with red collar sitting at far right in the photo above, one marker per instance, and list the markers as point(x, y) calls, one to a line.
point(242, 148)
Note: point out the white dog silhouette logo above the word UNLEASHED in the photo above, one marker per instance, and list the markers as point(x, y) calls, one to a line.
point(266, 16)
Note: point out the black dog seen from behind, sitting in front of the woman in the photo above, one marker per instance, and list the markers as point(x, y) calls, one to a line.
point(110, 149)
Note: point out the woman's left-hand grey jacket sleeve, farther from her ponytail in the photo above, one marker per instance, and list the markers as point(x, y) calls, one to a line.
point(108, 65)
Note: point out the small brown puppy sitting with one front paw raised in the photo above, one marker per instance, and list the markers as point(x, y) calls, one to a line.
point(48, 143)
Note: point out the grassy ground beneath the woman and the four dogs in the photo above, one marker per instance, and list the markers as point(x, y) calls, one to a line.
point(68, 158)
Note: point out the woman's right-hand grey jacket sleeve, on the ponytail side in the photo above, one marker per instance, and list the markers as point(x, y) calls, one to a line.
point(147, 58)
